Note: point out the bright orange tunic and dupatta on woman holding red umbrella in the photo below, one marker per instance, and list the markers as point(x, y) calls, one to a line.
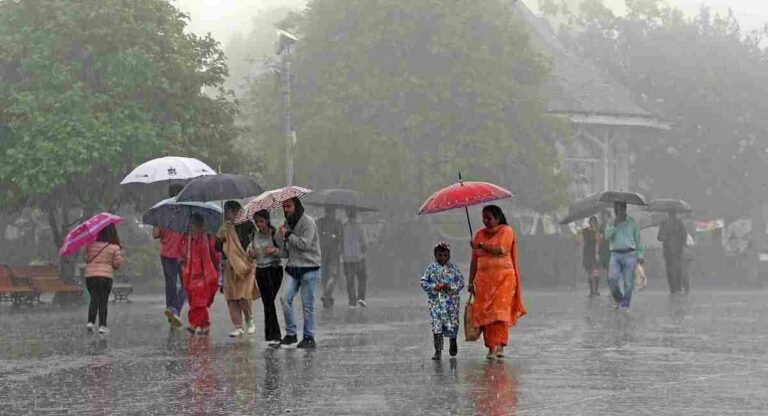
point(497, 282)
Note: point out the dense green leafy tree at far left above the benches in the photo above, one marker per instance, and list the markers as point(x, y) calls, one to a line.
point(88, 90)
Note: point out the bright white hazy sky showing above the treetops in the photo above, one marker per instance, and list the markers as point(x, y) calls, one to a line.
point(224, 18)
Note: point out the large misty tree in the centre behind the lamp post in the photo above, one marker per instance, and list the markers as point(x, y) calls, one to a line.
point(396, 97)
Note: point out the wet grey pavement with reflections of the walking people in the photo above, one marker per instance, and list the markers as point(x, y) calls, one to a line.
point(702, 355)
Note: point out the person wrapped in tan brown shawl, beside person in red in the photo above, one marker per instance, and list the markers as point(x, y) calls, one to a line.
point(239, 280)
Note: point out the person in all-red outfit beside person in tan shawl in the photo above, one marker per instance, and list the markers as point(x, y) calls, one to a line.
point(199, 274)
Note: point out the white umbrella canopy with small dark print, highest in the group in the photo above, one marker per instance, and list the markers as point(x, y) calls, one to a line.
point(167, 169)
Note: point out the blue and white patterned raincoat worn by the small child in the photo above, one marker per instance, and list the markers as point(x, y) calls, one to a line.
point(444, 305)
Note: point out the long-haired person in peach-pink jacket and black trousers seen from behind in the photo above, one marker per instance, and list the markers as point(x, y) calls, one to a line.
point(102, 257)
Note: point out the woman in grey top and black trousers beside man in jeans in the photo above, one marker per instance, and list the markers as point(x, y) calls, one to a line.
point(265, 249)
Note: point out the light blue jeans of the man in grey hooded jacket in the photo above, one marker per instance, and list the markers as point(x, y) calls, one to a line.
point(307, 285)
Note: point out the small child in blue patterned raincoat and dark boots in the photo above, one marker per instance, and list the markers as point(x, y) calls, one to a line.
point(443, 281)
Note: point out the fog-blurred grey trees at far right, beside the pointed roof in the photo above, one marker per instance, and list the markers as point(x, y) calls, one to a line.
point(708, 78)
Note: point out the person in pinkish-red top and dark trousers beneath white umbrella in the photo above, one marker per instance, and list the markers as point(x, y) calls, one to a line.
point(170, 255)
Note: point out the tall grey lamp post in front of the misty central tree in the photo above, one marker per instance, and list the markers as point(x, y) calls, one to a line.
point(284, 42)
